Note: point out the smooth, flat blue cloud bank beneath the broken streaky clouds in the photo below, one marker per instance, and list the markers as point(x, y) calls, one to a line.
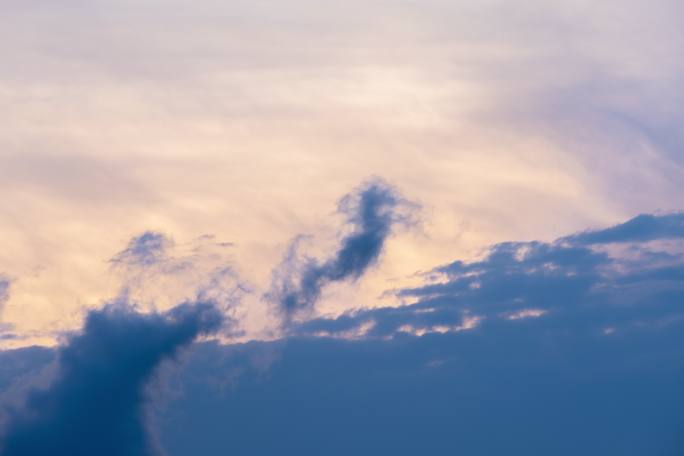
point(516, 389)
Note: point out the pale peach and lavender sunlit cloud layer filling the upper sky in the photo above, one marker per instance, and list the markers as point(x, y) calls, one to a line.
point(247, 120)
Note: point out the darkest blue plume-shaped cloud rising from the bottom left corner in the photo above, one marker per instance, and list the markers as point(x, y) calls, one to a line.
point(96, 404)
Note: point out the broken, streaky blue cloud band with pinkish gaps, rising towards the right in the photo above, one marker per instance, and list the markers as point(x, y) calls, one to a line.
point(601, 282)
